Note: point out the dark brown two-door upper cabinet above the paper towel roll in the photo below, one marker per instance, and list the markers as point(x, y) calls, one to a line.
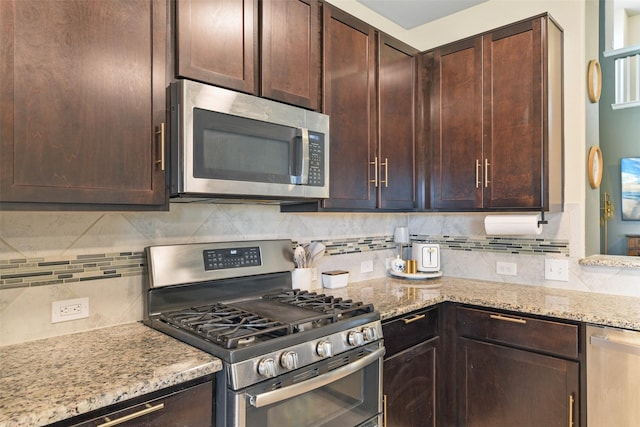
point(496, 120)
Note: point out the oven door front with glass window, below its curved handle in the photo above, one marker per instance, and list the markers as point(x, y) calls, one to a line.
point(347, 402)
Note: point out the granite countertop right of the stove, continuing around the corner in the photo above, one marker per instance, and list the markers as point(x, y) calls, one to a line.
point(393, 297)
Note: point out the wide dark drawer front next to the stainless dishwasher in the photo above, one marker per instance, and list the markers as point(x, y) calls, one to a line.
point(521, 331)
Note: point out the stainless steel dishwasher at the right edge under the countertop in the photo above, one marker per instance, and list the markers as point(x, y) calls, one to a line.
point(613, 377)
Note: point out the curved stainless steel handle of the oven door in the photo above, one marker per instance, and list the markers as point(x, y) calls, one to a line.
point(279, 395)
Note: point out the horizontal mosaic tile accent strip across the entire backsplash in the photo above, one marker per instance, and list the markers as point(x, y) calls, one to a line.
point(23, 272)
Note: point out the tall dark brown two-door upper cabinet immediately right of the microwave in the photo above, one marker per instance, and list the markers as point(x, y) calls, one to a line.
point(369, 92)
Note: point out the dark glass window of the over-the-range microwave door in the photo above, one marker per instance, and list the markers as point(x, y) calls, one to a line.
point(234, 148)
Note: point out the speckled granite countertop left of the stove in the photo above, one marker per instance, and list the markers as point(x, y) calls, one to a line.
point(56, 378)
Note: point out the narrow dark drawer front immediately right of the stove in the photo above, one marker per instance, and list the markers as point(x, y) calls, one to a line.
point(410, 329)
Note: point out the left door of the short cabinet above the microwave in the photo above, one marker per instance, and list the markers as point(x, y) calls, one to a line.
point(217, 42)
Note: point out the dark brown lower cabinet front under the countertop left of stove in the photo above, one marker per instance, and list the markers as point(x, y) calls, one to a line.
point(190, 404)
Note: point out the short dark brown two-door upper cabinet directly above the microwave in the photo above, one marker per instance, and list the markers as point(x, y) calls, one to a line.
point(270, 49)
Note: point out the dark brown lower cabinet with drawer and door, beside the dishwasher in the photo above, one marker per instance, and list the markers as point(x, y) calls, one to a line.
point(517, 370)
